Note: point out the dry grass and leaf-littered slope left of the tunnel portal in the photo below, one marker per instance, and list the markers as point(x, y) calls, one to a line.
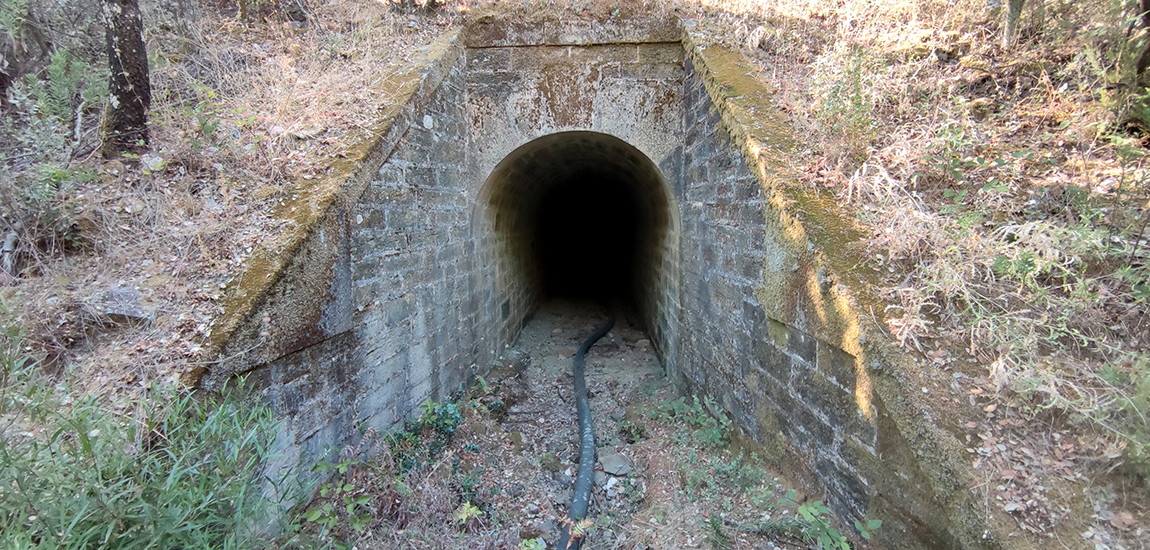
point(241, 114)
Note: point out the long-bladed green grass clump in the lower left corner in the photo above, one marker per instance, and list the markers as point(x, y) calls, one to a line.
point(173, 471)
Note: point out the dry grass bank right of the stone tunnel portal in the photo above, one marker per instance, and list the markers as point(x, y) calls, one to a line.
point(1007, 208)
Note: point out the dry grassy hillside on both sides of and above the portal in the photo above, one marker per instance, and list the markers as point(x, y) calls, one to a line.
point(1018, 174)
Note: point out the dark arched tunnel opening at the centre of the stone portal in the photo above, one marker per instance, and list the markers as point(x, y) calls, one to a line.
point(581, 216)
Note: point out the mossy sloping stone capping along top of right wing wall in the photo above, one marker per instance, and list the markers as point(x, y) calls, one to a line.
point(764, 137)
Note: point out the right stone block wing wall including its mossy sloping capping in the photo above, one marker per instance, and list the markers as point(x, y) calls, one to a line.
point(765, 325)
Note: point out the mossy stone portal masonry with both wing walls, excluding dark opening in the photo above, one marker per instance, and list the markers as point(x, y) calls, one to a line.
point(403, 285)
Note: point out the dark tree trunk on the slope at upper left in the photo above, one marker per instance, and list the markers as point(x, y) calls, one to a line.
point(126, 123)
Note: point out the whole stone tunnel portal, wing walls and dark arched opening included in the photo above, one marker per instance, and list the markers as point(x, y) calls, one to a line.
point(430, 264)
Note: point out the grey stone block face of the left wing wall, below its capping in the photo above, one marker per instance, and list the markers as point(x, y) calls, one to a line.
point(419, 322)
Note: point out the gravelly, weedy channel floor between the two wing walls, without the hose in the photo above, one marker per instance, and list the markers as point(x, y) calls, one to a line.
point(504, 482)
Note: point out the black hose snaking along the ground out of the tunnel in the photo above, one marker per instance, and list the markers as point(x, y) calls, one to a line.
point(569, 539)
